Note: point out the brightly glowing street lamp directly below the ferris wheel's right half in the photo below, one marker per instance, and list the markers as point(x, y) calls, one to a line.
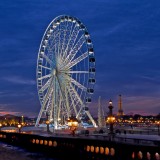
point(73, 124)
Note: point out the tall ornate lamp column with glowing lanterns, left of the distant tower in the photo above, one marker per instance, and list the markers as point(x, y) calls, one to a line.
point(111, 118)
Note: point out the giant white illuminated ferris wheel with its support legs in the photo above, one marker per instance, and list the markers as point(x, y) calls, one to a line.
point(65, 71)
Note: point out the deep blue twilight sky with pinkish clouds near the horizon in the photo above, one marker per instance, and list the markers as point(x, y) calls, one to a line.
point(126, 39)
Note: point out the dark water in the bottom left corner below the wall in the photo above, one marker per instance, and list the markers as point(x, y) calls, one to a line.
point(9, 152)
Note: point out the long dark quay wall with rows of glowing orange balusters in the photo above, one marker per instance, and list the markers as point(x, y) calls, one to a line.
point(96, 147)
